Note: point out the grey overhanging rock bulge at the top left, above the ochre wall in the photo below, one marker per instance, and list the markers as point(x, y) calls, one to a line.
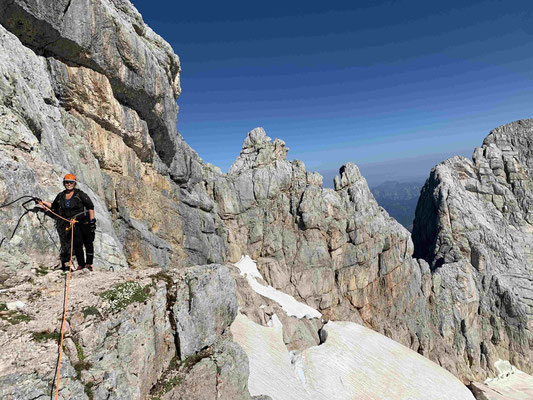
point(110, 38)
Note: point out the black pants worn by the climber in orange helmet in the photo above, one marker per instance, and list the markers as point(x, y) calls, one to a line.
point(83, 237)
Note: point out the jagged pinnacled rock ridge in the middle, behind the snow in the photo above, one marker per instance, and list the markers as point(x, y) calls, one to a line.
point(336, 250)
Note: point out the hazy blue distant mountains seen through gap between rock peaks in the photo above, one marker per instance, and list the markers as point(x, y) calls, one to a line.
point(399, 199)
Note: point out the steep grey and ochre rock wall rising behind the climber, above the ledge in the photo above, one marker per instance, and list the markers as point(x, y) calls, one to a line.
point(86, 87)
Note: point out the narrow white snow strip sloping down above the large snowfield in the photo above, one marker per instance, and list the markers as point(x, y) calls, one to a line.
point(289, 304)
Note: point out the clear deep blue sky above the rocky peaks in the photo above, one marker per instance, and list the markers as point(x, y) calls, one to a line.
point(390, 85)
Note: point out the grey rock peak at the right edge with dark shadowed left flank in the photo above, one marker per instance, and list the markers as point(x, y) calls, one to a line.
point(473, 226)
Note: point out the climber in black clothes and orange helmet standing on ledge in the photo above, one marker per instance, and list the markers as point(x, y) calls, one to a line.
point(73, 203)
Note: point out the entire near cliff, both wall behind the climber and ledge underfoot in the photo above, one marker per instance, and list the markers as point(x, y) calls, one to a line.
point(87, 88)
